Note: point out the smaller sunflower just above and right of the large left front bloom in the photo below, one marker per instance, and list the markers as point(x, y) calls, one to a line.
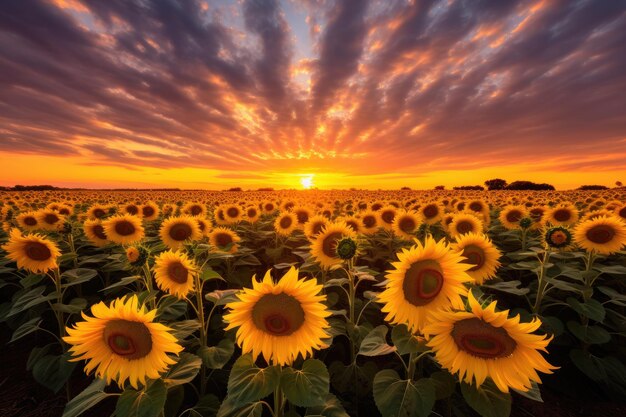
point(174, 273)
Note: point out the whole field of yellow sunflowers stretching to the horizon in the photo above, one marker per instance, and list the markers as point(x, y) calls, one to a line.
point(312, 303)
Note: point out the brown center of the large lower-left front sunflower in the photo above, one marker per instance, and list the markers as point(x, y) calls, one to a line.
point(129, 339)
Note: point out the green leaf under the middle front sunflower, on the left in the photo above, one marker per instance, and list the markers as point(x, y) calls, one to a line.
point(248, 383)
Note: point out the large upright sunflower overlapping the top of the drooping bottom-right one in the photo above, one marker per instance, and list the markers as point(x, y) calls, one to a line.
point(427, 278)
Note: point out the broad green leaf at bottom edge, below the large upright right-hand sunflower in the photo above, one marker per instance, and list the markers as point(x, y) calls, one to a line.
point(397, 397)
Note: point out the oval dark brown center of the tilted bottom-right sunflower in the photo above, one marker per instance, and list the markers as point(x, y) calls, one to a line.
point(483, 340)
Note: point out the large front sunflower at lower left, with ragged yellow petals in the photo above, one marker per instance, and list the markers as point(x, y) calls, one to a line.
point(122, 342)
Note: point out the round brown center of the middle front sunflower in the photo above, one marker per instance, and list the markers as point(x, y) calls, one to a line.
point(278, 314)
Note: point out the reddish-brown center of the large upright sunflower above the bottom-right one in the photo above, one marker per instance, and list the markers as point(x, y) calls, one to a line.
point(423, 281)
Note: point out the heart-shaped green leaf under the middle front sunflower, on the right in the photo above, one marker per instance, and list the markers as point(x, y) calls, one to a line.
point(307, 387)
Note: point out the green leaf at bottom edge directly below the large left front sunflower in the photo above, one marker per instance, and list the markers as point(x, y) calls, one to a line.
point(147, 402)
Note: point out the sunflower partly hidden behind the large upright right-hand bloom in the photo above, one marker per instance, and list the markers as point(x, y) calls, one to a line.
point(480, 252)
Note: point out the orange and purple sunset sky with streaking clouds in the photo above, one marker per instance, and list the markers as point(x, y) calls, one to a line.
point(337, 94)
